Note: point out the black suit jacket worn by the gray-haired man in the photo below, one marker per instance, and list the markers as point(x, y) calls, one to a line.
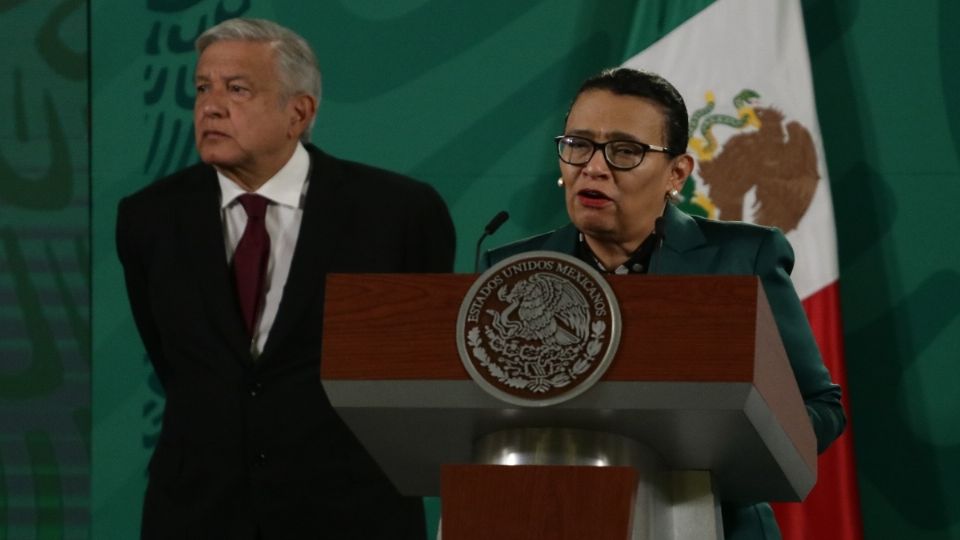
point(254, 448)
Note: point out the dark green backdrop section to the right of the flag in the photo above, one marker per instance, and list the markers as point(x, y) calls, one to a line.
point(887, 90)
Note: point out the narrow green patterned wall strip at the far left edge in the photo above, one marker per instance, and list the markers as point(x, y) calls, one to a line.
point(44, 270)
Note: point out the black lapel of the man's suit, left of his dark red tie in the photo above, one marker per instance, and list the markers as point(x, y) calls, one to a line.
point(201, 231)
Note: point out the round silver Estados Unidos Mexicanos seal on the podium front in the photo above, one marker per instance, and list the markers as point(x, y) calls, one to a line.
point(538, 328)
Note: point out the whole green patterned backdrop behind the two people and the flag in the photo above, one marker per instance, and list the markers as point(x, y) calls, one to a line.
point(464, 95)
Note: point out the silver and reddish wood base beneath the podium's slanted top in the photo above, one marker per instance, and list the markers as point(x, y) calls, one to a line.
point(568, 485)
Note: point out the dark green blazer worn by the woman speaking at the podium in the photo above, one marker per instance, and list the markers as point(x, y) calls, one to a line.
point(692, 245)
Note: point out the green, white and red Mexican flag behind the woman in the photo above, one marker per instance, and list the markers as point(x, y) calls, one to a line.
point(743, 68)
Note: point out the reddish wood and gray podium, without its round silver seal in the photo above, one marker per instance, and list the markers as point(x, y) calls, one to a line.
point(698, 405)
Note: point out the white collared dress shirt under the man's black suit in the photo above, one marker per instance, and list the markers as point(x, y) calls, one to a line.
point(287, 192)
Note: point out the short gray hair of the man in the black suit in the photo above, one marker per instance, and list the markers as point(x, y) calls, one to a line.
point(295, 62)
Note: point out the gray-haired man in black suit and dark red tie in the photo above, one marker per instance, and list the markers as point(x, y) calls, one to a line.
point(224, 264)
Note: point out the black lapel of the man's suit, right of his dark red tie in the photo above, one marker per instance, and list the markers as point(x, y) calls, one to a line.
point(314, 247)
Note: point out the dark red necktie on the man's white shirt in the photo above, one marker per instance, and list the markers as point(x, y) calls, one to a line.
point(250, 259)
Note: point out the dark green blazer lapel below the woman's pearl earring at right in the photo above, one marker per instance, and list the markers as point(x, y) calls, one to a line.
point(684, 249)
